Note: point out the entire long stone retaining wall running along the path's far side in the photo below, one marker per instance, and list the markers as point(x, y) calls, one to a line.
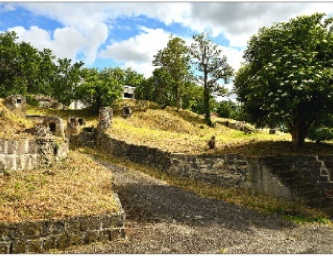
point(301, 177)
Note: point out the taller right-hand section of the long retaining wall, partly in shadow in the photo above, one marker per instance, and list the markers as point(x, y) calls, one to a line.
point(300, 177)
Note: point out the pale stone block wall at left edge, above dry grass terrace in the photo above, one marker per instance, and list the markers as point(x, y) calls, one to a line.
point(27, 154)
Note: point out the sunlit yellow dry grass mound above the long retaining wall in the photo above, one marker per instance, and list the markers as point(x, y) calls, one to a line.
point(181, 131)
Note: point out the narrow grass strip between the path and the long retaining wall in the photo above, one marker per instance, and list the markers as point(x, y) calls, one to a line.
point(297, 212)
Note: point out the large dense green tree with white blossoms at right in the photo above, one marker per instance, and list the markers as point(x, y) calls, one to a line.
point(287, 77)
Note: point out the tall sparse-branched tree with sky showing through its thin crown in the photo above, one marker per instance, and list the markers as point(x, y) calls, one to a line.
point(212, 68)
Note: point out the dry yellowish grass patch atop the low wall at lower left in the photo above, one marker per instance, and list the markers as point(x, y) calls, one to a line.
point(75, 187)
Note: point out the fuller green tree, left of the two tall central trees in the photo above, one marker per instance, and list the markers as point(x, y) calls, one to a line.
point(174, 59)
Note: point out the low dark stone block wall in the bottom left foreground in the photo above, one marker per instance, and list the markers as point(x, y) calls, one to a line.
point(43, 235)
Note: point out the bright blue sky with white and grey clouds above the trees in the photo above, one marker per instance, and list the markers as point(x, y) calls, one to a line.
point(129, 34)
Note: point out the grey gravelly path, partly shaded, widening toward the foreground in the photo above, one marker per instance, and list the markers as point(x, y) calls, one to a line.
point(164, 219)
